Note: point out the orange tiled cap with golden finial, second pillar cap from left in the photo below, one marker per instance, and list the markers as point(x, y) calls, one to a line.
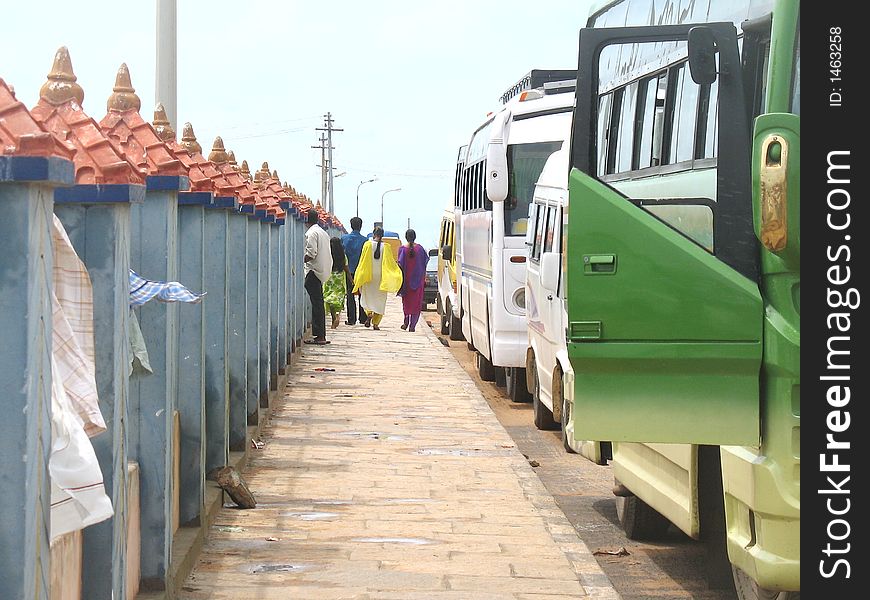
point(97, 159)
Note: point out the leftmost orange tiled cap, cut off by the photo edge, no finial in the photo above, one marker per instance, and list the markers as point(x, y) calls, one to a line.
point(21, 134)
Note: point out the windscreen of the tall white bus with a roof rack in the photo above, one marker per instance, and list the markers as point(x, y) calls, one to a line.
point(525, 163)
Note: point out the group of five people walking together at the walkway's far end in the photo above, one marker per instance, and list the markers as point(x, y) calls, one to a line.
point(338, 271)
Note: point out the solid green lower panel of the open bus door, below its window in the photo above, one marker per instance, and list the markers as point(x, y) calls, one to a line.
point(665, 338)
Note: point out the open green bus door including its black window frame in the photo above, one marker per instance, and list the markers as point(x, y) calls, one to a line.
point(664, 336)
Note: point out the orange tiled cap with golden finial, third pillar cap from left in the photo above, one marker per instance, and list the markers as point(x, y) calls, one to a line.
point(125, 126)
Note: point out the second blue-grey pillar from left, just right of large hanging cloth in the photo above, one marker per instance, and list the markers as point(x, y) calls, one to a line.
point(97, 220)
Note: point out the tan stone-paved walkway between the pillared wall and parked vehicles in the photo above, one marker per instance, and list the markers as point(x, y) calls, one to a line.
point(391, 479)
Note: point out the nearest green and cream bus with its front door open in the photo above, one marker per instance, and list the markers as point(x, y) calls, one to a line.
point(682, 246)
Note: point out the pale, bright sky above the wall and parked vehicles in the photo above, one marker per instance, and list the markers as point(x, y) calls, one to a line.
point(408, 82)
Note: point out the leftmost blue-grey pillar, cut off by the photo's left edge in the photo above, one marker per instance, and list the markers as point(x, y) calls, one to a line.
point(26, 188)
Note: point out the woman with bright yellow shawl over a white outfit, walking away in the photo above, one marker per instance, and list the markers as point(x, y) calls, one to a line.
point(377, 274)
